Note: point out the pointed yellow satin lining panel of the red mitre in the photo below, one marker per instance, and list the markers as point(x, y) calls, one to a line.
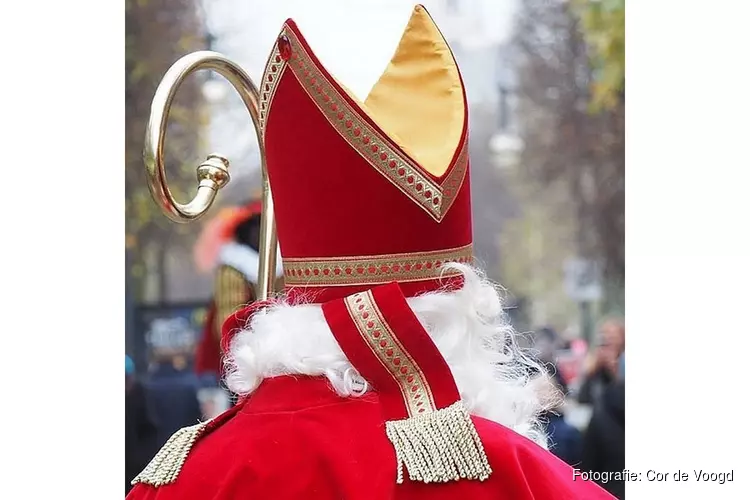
point(419, 99)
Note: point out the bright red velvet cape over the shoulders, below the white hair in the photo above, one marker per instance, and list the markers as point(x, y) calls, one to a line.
point(295, 439)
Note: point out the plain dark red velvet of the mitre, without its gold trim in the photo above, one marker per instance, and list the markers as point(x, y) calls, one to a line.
point(330, 202)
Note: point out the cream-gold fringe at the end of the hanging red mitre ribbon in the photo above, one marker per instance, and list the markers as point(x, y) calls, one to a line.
point(440, 446)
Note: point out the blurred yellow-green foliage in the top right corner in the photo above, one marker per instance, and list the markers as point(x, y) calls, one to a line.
point(603, 24)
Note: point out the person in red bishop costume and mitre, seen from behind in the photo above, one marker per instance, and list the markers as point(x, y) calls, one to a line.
point(389, 369)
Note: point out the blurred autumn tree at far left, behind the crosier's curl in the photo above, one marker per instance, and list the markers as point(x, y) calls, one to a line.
point(157, 33)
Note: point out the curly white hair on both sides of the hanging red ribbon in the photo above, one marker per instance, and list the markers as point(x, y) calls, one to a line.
point(468, 326)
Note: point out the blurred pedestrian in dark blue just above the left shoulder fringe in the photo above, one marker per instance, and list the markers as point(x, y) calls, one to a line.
point(172, 392)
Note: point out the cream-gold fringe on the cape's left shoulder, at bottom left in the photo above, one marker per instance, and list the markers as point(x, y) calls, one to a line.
point(167, 464)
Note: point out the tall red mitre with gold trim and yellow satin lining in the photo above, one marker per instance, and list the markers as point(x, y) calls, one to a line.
point(371, 192)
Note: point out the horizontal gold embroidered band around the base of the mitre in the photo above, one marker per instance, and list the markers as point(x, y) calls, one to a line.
point(374, 269)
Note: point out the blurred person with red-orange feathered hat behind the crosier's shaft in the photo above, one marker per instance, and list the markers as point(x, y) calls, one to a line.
point(228, 245)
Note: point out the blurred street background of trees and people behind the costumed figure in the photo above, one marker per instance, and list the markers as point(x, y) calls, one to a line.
point(545, 82)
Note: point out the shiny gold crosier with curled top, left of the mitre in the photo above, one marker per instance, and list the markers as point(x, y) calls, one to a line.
point(213, 174)
